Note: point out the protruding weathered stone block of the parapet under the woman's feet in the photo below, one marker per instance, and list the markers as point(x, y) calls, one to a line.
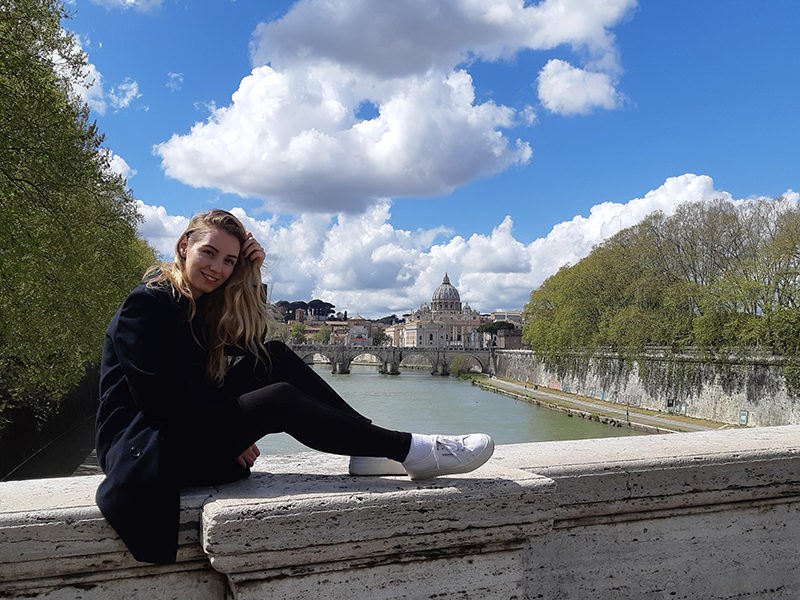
point(329, 518)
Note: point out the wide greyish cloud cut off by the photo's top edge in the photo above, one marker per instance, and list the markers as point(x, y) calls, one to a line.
point(410, 37)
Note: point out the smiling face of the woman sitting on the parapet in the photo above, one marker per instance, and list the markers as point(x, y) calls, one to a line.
point(210, 259)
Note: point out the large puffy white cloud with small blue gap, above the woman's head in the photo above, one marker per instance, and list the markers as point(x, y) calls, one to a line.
point(293, 138)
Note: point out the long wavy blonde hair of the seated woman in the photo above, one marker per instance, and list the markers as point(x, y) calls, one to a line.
point(233, 316)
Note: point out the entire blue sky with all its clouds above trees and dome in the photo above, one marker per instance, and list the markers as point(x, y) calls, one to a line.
point(372, 146)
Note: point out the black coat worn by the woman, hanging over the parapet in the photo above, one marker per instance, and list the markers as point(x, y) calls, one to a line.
point(158, 420)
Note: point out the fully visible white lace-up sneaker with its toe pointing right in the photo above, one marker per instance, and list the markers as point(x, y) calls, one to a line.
point(449, 455)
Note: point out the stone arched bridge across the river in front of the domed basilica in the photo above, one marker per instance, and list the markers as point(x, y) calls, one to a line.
point(390, 357)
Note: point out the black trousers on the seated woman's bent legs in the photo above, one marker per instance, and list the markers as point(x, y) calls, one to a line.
point(281, 393)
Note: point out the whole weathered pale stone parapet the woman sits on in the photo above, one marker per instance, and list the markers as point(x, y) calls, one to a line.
point(694, 515)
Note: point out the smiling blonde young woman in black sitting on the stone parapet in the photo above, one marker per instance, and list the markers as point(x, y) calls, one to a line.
point(188, 385)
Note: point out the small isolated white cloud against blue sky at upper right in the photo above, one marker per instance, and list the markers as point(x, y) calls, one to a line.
point(567, 90)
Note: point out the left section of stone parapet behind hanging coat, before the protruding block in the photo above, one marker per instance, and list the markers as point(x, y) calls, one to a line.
point(55, 543)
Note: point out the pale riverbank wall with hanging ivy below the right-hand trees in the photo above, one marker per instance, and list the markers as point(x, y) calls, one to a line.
point(748, 392)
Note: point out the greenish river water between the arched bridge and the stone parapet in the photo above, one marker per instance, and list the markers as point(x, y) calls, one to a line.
point(417, 401)
